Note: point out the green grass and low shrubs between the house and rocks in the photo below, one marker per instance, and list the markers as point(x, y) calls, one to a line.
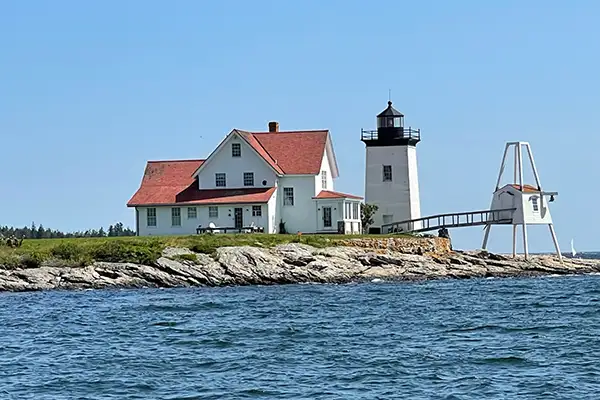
point(144, 250)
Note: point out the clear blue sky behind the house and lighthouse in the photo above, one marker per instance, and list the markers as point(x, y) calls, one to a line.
point(91, 90)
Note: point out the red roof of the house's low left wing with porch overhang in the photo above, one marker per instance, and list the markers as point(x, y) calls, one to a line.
point(171, 182)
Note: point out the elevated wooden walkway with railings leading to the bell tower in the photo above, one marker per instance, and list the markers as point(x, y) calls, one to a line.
point(452, 220)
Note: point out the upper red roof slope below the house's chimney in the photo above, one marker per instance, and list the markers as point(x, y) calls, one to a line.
point(292, 152)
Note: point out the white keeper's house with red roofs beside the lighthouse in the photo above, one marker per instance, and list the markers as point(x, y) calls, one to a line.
point(257, 179)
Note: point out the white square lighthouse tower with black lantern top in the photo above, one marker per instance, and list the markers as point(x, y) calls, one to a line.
point(391, 179)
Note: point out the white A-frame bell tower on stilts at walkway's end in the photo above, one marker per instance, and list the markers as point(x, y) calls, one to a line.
point(522, 203)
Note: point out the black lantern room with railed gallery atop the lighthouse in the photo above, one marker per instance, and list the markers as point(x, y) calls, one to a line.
point(390, 130)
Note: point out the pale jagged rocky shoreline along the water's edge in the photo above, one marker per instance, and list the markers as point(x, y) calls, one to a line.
point(287, 264)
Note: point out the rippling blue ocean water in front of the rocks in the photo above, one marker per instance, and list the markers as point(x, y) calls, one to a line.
point(455, 339)
